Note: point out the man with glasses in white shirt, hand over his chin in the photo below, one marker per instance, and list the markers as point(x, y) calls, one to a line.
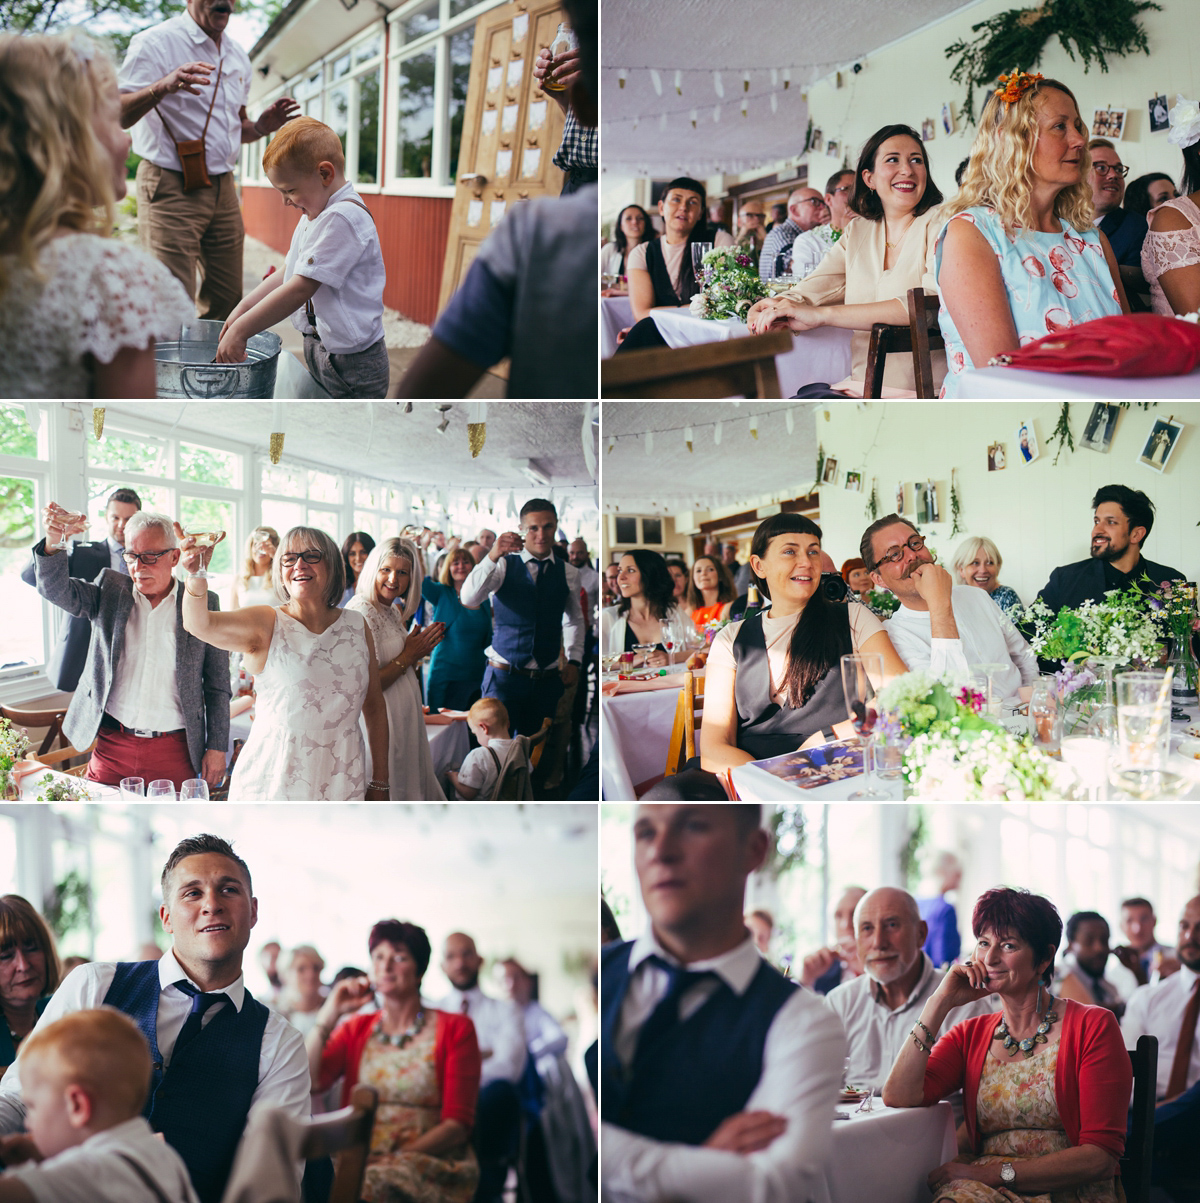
point(941, 626)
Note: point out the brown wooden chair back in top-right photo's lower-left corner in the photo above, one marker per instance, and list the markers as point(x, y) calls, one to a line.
point(740, 368)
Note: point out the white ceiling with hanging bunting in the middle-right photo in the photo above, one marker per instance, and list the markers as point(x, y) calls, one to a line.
point(673, 479)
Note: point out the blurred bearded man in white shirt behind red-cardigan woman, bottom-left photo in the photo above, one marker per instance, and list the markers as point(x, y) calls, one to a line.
point(502, 1038)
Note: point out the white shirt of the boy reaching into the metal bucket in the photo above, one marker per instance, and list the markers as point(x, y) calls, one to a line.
point(341, 250)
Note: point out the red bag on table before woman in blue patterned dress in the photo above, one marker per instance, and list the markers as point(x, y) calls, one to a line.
point(1142, 345)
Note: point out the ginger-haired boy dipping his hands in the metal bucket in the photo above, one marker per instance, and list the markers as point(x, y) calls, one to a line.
point(332, 285)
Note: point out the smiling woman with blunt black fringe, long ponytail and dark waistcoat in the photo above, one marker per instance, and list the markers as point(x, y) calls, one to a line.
point(774, 681)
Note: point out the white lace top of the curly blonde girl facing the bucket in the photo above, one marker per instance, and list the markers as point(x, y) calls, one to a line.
point(98, 297)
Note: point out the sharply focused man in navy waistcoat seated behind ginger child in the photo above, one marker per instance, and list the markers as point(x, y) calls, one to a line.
point(218, 1053)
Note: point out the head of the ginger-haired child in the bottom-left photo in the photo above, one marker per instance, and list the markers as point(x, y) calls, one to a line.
point(84, 1075)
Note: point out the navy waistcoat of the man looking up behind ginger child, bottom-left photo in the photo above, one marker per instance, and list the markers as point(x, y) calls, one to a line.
point(201, 1103)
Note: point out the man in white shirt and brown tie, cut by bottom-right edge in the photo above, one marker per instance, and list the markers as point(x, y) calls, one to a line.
point(1171, 1011)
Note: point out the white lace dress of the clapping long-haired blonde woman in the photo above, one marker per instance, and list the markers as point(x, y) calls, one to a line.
point(412, 777)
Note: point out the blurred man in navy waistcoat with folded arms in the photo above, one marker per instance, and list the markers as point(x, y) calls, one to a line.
point(718, 1076)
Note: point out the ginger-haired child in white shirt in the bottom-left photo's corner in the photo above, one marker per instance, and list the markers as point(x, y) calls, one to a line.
point(85, 1082)
